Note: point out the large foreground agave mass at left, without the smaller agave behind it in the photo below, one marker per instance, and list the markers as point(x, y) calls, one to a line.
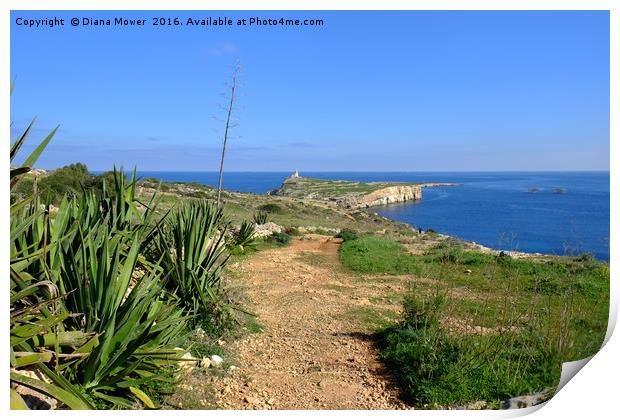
point(88, 312)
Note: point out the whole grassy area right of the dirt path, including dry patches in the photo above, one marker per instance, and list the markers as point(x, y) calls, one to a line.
point(551, 309)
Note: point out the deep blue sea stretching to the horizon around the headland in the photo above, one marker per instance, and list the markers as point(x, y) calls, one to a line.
point(494, 209)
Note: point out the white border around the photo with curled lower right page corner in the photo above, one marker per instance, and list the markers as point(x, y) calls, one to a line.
point(592, 394)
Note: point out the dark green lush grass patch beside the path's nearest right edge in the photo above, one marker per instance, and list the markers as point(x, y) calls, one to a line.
point(437, 370)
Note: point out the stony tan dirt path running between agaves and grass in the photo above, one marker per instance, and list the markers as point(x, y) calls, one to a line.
point(312, 353)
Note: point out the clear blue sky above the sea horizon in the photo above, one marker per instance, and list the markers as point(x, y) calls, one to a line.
point(368, 91)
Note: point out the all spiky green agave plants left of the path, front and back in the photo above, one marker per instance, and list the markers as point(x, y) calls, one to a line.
point(101, 290)
